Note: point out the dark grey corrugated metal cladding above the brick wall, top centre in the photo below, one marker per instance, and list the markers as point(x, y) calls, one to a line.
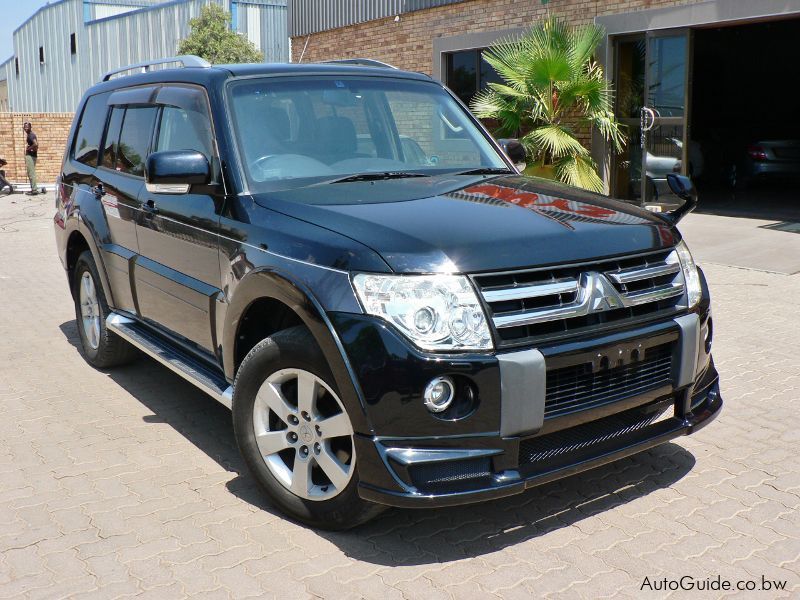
point(311, 16)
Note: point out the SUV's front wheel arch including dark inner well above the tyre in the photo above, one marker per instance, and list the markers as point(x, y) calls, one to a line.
point(267, 289)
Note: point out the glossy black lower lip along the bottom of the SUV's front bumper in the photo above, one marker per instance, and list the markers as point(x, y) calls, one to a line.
point(510, 482)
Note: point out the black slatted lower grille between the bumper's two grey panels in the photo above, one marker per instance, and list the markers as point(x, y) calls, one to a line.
point(583, 386)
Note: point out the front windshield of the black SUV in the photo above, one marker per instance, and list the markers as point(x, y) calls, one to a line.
point(294, 132)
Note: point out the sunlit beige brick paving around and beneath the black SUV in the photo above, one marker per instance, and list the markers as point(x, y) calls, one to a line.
point(128, 482)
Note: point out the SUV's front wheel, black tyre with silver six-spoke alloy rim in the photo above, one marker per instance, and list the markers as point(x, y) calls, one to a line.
point(321, 490)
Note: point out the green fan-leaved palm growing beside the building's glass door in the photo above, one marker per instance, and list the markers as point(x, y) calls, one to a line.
point(551, 84)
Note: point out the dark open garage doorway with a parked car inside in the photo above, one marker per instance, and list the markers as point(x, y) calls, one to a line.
point(744, 148)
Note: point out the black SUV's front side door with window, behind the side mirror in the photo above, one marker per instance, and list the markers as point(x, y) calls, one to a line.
point(177, 276)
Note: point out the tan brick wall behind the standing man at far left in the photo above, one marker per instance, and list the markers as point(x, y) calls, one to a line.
point(52, 129)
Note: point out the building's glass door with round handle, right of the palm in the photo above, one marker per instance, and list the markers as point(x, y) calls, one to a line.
point(652, 101)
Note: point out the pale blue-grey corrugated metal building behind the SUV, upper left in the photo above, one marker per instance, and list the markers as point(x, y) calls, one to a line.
point(106, 43)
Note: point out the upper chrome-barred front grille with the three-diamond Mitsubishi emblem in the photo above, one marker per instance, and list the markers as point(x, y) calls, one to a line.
point(546, 304)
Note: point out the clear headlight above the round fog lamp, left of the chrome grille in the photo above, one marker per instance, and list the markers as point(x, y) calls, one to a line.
point(436, 312)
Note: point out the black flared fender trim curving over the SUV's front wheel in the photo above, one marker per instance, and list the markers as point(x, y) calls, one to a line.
point(278, 285)
